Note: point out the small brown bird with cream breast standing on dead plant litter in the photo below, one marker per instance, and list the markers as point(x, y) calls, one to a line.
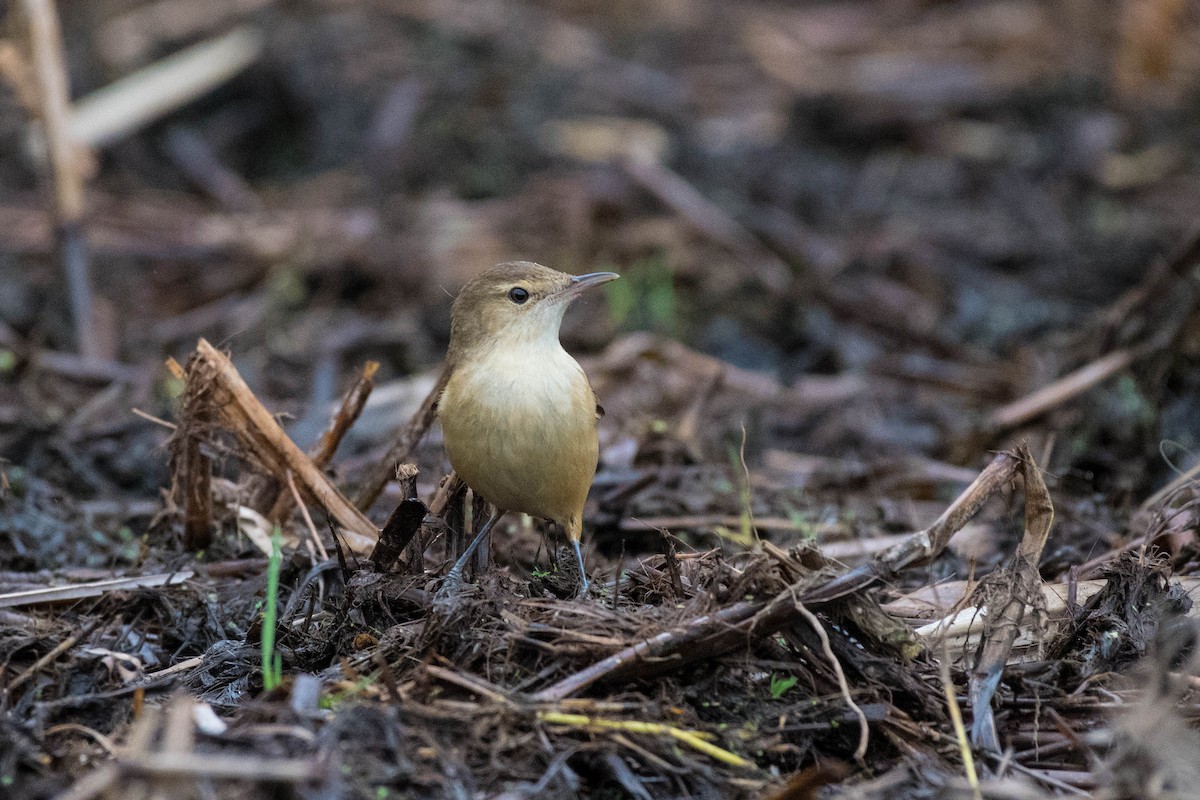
point(518, 413)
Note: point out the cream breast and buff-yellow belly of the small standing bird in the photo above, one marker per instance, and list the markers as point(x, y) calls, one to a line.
point(527, 442)
